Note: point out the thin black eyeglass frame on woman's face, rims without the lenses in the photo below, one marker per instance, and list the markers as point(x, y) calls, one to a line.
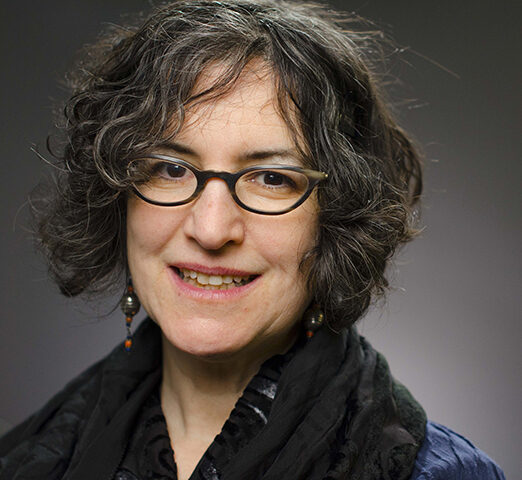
point(203, 176)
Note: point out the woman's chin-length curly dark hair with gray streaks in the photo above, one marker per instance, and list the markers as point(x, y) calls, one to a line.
point(135, 82)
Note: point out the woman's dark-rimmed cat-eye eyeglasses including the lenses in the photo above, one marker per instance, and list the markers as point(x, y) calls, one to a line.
point(268, 190)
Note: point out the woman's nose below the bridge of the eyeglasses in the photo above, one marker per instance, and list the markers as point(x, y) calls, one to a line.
point(215, 220)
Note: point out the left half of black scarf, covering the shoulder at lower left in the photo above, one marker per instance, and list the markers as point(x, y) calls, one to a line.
point(82, 420)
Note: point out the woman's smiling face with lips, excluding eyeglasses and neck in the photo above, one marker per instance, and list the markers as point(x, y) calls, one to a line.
point(214, 239)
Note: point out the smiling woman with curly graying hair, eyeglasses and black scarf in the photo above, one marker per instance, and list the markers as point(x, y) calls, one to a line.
point(236, 163)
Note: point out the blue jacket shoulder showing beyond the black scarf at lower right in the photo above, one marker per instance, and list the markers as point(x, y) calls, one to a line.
point(446, 455)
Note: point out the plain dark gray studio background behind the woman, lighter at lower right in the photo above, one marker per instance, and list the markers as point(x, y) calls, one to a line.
point(450, 328)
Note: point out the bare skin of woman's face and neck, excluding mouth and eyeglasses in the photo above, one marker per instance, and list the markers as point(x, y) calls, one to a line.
point(214, 344)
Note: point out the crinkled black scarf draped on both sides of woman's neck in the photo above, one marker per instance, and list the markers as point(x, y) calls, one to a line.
point(338, 414)
